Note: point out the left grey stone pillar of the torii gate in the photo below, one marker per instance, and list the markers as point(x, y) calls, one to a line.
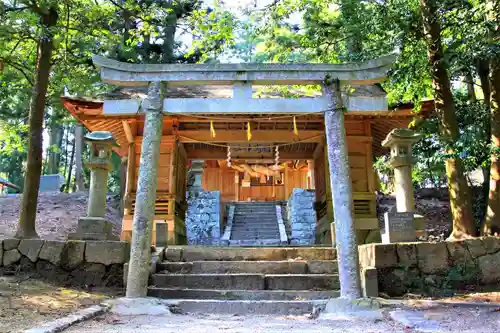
point(142, 225)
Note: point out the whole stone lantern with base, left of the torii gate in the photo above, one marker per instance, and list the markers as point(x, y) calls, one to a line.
point(94, 226)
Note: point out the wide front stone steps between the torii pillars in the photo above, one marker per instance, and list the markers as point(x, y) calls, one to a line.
point(236, 280)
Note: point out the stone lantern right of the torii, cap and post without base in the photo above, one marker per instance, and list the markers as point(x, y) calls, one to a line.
point(399, 141)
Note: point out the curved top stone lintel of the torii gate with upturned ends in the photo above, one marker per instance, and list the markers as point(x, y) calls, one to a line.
point(127, 74)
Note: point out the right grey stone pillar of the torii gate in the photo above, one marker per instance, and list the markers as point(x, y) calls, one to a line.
point(340, 179)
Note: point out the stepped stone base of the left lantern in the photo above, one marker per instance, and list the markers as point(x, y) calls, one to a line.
point(93, 228)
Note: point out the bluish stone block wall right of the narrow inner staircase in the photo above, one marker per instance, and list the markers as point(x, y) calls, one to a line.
point(302, 217)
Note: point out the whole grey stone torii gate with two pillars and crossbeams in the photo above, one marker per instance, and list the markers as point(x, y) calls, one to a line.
point(241, 77)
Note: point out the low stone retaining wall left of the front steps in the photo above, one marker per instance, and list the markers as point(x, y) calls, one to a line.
point(72, 263)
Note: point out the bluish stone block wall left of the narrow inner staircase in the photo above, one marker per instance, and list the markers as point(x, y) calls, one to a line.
point(203, 218)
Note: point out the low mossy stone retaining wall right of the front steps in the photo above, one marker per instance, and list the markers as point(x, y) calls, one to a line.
point(433, 268)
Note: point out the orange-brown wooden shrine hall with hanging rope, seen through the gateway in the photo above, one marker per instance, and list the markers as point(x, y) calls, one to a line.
point(255, 172)
